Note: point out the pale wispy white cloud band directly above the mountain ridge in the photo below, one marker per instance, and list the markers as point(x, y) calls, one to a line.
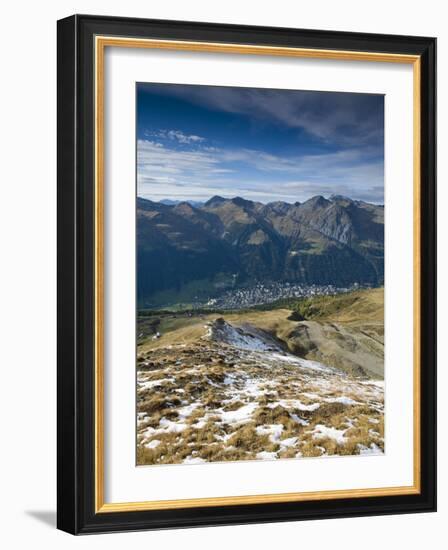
point(167, 171)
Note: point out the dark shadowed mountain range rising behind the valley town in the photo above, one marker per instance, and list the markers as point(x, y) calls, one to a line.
point(232, 242)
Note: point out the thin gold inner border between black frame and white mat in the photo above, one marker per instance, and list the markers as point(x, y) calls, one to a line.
point(100, 44)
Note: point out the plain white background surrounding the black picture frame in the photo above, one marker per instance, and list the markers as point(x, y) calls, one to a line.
point(28, 270)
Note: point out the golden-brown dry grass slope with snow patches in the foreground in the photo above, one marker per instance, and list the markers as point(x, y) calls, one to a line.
point(197, 375)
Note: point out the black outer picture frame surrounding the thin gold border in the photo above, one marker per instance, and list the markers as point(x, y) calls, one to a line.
point(76, 258)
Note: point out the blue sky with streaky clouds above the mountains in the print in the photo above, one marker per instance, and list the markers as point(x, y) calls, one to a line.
point(194, 142)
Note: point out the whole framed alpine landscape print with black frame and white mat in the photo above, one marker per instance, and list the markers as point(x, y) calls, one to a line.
point(246, 271)
